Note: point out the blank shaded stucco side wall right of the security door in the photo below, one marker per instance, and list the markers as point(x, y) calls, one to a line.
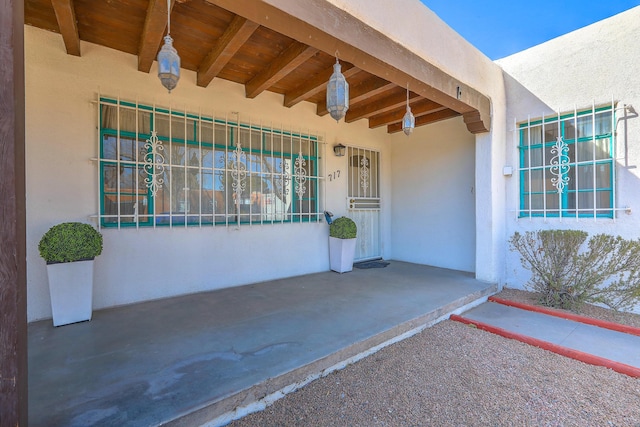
point(433, 196)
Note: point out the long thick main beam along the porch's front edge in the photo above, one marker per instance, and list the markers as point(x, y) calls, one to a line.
point(329, 28)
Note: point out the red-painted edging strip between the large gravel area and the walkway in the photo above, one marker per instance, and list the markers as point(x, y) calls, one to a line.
point(591, 359)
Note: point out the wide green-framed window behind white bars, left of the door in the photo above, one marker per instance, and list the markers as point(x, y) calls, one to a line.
point(168, 168)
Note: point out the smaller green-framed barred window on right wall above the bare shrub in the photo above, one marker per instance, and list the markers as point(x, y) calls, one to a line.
point(567, 165)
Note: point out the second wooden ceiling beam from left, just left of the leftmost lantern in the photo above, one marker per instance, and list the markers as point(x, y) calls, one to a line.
point(154, 25)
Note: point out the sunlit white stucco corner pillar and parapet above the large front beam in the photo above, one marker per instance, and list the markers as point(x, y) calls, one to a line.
point(412, 24)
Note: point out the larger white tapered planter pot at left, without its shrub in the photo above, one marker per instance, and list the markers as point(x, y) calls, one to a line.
point(71, 290)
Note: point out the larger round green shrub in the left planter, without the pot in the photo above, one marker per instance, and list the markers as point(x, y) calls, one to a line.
point(70, 241)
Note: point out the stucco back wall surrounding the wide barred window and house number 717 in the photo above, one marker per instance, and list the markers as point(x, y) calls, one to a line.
point(136, 265)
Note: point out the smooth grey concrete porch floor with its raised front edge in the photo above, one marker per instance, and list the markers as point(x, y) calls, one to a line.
point(188, 360)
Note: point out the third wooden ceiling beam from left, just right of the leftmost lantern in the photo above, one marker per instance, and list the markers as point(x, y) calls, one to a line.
point(238, 32)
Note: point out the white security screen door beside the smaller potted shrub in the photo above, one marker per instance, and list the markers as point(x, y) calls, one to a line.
point(363, 202)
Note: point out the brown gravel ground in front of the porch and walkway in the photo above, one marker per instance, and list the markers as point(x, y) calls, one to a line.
point(455, 375)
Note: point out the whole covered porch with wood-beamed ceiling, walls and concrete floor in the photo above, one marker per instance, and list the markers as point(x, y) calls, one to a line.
point(259, 65)
